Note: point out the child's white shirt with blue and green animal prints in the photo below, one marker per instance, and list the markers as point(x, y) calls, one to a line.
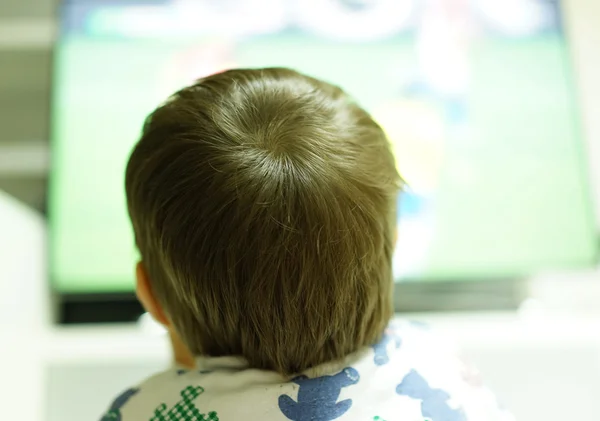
point(411, 375)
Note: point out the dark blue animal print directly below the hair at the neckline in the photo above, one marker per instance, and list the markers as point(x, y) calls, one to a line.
point(317, 398)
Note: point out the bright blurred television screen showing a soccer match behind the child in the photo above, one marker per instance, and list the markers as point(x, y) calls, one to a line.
point(477, 98)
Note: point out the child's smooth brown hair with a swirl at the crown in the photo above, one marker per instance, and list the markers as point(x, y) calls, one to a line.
point(263, 206)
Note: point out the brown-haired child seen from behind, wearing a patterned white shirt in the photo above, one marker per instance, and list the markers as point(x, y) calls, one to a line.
point(263, 206)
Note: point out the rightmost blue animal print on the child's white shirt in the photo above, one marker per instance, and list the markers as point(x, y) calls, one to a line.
point(434, 402)
